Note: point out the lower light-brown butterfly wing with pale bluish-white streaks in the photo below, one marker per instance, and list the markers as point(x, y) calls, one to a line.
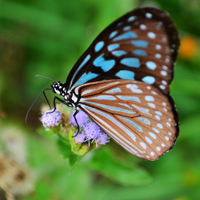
point(136, 115)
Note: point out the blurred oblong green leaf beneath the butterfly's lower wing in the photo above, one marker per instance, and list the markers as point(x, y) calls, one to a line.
point(122, 173)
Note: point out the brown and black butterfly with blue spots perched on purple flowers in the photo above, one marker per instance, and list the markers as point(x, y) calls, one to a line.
point(122, 82)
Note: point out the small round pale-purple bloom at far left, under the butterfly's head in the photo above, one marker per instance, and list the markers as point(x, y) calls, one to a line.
point(51, 119)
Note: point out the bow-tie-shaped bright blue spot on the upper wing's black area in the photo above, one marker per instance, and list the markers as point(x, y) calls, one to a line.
point(105, 65)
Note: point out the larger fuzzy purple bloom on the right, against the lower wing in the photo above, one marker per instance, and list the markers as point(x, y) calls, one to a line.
point(88, 130)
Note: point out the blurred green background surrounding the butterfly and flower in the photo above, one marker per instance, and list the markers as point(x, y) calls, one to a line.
point(47, 38)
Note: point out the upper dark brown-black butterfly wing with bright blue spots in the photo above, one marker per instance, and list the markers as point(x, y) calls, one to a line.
point(142, 45)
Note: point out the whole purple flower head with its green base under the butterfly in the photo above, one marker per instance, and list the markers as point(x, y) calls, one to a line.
point(75, 129)
